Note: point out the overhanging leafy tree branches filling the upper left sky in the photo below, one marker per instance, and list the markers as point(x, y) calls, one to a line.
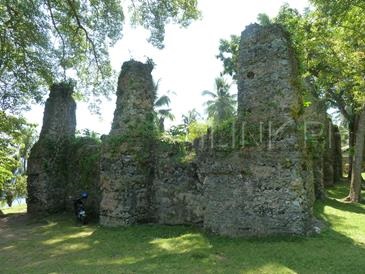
point(71, 37)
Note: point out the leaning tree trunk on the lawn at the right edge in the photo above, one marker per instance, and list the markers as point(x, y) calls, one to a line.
point(355, 188)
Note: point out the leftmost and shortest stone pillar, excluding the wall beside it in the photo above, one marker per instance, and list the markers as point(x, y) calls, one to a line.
point(47, 164)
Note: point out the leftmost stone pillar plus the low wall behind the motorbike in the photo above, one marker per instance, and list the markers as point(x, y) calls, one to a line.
point(57, 164)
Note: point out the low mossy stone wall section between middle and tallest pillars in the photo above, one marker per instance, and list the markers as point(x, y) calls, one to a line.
point(178, 192)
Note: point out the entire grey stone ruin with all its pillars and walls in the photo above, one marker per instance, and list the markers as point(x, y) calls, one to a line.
point(261, 180)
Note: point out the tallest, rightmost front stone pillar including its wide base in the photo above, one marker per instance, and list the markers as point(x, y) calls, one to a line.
point(267, 187)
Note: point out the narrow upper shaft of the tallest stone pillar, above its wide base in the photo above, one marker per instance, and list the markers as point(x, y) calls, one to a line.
point(267, 72)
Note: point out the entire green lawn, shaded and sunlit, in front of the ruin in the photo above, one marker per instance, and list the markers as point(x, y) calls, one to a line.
point(59, 245)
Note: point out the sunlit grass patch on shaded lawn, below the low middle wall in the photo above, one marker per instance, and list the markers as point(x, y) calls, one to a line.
point(182, 244)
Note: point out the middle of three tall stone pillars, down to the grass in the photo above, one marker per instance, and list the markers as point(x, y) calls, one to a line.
point(126, 166)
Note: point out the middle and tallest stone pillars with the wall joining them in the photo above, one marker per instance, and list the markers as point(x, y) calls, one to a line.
point(263, 188)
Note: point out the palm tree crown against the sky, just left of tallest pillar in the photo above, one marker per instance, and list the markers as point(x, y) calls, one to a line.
point(222, 105)
